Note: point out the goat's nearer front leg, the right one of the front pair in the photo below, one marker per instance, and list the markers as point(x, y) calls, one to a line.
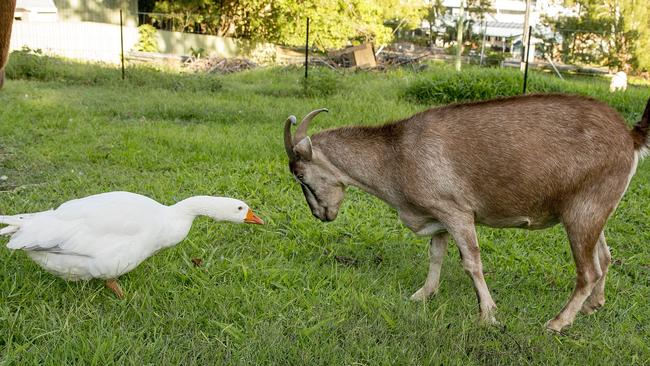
point(465, 236)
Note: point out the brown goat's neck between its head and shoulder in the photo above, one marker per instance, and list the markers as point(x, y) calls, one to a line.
point(363, 157)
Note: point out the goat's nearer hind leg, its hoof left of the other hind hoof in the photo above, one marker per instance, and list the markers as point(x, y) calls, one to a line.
point(584, 238)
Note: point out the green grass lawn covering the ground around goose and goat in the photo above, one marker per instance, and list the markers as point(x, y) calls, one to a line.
point(295, 291)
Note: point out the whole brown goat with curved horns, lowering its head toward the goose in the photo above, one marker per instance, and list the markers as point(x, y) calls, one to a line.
point(526, 162)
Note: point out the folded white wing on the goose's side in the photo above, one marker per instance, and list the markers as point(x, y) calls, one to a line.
point(90, 225)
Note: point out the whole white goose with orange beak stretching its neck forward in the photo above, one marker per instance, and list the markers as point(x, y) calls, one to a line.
point(109, 234)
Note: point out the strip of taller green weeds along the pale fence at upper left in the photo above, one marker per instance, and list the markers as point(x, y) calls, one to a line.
point(33, 65)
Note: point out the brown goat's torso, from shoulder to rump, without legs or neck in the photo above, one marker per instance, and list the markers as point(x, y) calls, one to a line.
point(521, 156)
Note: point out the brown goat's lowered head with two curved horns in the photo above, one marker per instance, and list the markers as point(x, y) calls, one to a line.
point(319, 179)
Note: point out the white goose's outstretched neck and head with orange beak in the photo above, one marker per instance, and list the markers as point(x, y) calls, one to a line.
point(220, 209)
